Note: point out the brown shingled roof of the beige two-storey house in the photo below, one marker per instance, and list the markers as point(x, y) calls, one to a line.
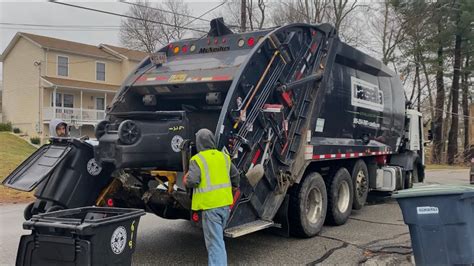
point(73, 47)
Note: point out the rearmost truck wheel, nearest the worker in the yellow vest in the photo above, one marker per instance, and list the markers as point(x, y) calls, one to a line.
point(306, 218)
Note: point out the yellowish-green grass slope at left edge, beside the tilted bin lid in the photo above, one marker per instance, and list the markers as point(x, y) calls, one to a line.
point(13, 151)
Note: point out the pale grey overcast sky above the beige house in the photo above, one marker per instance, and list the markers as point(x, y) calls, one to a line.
point(47, 13)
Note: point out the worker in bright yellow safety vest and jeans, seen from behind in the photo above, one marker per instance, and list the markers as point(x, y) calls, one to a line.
point(213, 178)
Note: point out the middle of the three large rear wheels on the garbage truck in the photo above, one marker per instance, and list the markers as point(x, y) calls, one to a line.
point(340, 197)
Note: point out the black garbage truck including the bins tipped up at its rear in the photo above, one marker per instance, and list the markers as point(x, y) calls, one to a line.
point(326, 123)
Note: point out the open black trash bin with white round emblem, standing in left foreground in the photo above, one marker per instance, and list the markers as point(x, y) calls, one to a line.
point(81, 236)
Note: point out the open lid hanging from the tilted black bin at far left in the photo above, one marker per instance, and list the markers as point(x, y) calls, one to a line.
point(37, 167)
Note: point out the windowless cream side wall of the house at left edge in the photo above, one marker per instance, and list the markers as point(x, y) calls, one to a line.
point(21, 86)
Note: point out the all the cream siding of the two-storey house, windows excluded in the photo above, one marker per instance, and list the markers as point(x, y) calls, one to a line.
point(22, 85)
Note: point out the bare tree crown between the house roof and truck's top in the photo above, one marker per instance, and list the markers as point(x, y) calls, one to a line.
point(147, 33)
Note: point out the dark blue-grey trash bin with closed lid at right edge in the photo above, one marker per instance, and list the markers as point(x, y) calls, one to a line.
point(441, 222)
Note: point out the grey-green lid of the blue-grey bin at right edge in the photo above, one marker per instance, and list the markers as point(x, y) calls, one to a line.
point(433, 190)
